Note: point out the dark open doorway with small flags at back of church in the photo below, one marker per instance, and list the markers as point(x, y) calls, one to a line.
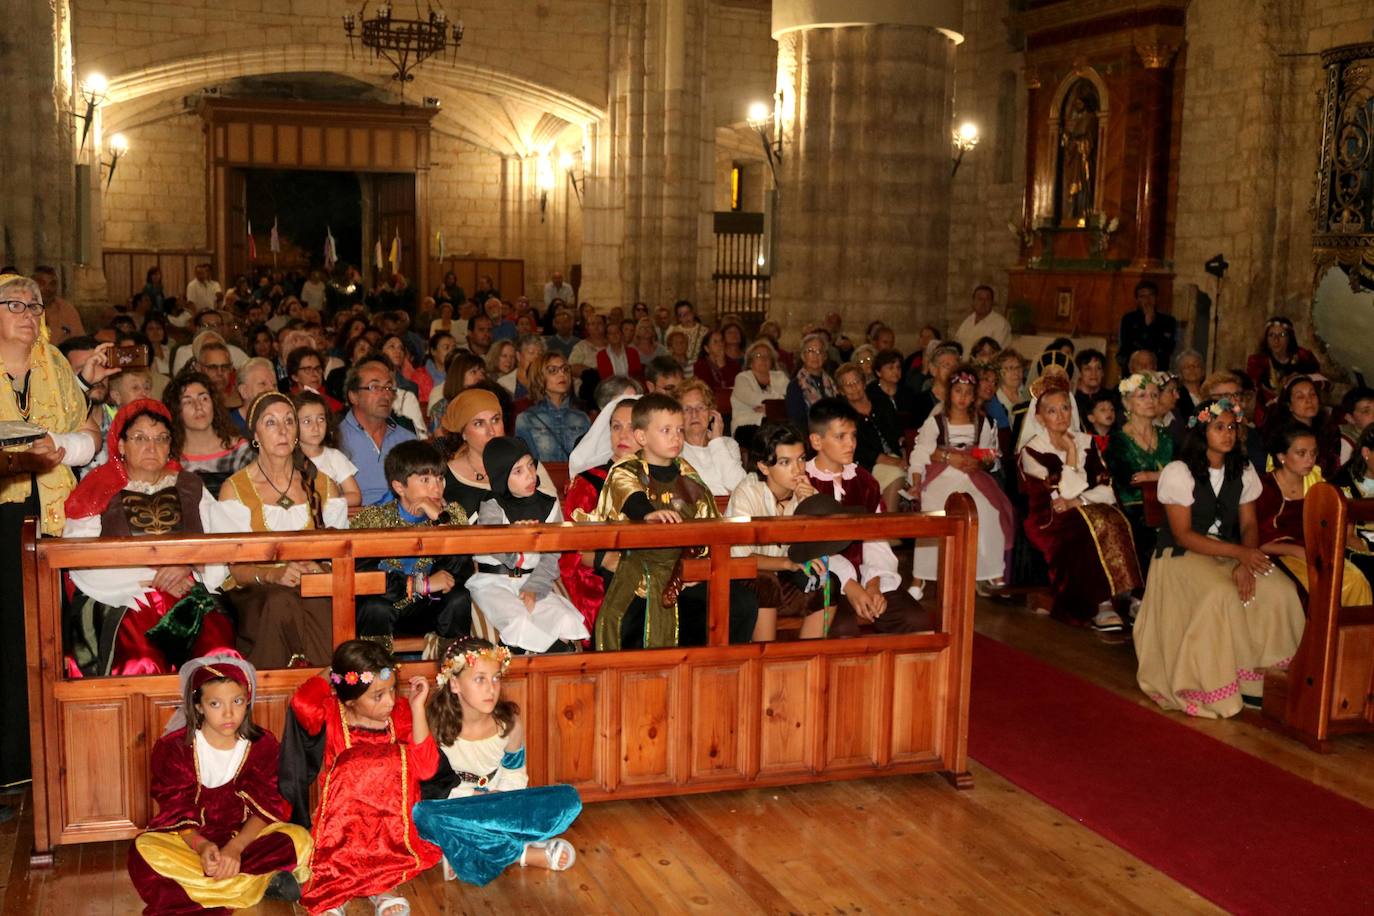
point(306, 207)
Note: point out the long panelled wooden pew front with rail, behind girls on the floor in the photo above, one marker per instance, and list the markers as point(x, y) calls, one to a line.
point(627, 724)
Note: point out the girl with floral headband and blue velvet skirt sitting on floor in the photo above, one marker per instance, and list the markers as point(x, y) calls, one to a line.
point(477, 808)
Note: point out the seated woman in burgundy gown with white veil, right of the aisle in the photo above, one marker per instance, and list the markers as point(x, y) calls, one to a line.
point(1072, 516)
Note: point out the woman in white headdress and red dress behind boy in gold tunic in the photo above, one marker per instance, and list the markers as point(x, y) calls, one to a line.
point(611, 440)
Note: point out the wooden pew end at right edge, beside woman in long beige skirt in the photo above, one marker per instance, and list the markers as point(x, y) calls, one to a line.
point(1328, 690)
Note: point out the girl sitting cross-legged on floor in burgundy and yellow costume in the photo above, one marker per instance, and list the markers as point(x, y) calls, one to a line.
point(221, 840)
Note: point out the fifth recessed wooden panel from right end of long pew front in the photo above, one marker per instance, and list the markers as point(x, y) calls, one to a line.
point(649, 727)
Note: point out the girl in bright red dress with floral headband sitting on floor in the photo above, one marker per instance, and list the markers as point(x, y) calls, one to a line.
point(373, 752)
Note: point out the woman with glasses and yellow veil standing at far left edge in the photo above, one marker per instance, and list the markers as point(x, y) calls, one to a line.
point(41, 389)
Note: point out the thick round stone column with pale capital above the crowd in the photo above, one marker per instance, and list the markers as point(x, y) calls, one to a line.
point(862, 222)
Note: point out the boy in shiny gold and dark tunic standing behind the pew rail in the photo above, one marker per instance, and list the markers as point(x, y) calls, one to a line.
point(646, 604)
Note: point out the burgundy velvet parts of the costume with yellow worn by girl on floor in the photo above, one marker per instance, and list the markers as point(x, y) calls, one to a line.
point(218, 814)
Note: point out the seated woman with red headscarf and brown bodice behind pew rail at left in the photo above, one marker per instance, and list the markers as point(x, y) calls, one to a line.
point(138, 620)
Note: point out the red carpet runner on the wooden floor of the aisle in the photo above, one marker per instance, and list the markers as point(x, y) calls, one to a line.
point(1236, 830)
